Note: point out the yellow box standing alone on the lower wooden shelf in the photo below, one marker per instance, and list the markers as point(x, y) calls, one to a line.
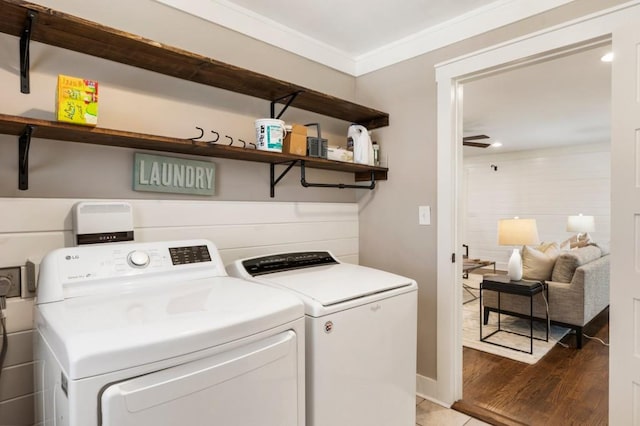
point(77, 100)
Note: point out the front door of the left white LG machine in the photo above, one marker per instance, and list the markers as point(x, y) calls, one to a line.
point(252, 385)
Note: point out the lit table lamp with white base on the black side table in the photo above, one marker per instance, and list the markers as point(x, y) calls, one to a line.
point(517, 232)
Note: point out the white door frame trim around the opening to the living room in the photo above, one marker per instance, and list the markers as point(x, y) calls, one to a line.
point(450, 75)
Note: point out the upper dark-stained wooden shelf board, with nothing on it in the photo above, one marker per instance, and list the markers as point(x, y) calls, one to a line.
point(69, 32)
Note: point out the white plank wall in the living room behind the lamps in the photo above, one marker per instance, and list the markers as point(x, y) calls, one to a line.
point(547, 185)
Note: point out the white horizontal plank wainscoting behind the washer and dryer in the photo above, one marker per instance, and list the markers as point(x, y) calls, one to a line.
point(30, 228)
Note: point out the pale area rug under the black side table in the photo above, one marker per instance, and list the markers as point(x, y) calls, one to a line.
point(471, 331)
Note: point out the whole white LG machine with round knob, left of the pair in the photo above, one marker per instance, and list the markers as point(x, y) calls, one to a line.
point(158, 334)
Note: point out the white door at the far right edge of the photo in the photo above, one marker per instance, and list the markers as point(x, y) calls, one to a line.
point(624, 396)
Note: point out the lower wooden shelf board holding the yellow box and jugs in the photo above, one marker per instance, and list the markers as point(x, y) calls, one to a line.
point(13, 125)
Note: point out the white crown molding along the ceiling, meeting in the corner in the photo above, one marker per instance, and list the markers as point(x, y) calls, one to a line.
point(478, 21)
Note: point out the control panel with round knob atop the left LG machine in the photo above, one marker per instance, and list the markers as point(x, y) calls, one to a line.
point(78, 271)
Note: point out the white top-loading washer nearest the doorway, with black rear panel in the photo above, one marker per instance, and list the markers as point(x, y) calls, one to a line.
point(360, 336)
